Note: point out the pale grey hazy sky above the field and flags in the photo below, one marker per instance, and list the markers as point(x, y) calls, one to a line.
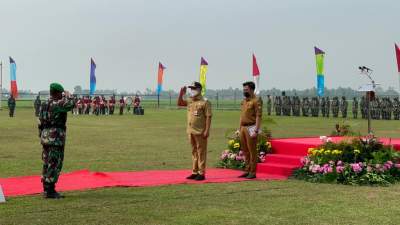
point(53, 40)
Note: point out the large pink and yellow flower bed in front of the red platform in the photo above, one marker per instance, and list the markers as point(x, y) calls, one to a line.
point(359, 161)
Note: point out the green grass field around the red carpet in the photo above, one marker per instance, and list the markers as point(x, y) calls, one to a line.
point(158, 141)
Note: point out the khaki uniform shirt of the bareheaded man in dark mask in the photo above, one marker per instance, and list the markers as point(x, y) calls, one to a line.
point(250, 109)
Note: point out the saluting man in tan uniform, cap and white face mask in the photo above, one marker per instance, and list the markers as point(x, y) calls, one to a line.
point(198, 127)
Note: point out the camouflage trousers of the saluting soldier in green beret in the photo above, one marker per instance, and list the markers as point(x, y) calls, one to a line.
point(53, 157)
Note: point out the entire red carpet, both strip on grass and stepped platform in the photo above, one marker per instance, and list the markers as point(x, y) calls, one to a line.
point(278, 165)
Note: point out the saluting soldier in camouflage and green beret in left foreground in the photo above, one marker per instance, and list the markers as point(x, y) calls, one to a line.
point(52, 131)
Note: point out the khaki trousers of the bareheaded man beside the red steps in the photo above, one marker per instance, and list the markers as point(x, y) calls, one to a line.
point(249, 148)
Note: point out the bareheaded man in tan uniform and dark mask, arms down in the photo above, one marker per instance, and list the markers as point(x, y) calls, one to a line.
point(250, 122)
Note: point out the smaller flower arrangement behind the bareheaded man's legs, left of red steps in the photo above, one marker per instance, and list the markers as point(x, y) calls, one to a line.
point(234, 158)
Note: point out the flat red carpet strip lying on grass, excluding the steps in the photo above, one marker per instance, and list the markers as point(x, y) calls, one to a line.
point(84, 179)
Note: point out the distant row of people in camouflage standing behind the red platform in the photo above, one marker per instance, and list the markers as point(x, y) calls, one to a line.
point(380, 108)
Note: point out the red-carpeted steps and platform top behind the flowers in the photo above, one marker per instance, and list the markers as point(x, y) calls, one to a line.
point(288, 152)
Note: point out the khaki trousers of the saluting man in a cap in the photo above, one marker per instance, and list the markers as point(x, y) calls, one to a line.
point(199, 153)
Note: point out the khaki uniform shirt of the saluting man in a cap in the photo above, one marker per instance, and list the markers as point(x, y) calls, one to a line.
point(198, 110)
